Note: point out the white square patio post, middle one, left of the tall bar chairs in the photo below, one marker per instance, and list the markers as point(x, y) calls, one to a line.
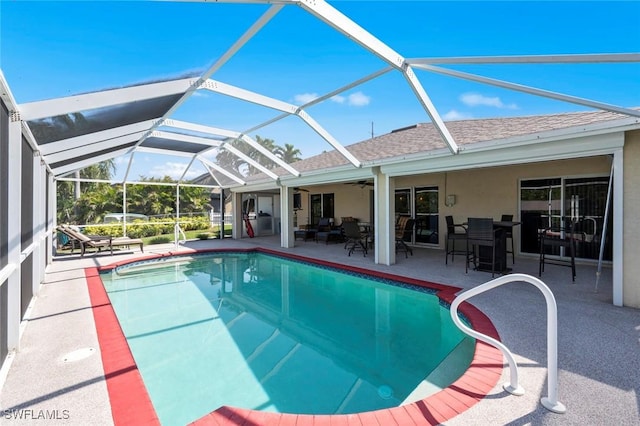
point(384, 227)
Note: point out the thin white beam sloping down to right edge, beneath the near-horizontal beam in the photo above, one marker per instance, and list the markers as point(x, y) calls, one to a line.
point(530, 90)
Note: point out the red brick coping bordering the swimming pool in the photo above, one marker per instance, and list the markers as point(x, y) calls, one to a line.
point(131, 404)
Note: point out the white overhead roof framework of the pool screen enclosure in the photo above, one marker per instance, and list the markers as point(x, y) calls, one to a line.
point(77, 131)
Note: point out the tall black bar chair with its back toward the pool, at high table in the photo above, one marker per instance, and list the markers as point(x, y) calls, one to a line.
point(481, 233)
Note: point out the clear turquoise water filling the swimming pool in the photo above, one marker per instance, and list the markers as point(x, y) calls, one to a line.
point(263, 332)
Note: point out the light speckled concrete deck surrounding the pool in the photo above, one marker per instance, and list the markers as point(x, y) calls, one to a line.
point(54, 373)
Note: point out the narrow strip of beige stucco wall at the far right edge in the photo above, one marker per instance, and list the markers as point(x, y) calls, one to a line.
point(631, 213)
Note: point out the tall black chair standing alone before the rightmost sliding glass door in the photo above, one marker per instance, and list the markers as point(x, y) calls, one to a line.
point(552, 239)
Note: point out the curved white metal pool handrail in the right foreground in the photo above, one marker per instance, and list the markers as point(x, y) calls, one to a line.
point(550, 402)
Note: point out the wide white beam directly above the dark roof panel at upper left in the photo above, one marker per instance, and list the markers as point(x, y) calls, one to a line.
point(106, 98)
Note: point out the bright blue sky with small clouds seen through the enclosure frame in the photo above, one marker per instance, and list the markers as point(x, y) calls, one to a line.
point(52, 49)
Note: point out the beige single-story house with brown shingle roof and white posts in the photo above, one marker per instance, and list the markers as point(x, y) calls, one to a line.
point(528, 167)
